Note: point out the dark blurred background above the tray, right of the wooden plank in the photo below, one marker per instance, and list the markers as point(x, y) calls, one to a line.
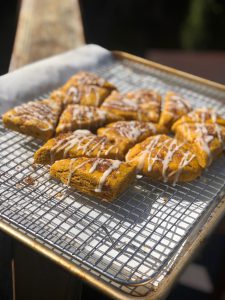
point(137, 25)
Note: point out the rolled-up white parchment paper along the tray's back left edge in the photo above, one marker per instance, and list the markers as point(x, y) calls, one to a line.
point(42, 76)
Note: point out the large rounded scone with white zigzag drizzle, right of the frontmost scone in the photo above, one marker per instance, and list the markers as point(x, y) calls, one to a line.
point(163, 158)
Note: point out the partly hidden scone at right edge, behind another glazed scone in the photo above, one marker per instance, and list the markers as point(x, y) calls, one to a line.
point(200, 115)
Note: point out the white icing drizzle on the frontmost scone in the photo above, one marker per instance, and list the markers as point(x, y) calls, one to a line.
point(111, 166)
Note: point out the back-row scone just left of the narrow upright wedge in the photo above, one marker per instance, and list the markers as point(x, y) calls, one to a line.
point(142, 105)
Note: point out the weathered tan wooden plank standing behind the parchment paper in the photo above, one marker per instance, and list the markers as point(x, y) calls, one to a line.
point(45, 28)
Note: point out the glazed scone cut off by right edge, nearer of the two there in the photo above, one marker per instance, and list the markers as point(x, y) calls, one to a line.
point(207, 139)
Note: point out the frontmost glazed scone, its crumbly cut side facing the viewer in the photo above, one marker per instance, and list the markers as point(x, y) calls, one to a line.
point(102, 178)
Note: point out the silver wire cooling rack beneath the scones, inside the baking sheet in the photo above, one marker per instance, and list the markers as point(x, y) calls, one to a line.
point(132, 240)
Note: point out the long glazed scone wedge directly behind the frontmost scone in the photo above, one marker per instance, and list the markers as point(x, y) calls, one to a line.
point(76, 144)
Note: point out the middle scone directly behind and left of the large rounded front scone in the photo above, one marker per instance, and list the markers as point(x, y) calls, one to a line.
point(128, 133)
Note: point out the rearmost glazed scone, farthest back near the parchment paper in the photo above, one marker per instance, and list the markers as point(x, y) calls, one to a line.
point(84, 88)
